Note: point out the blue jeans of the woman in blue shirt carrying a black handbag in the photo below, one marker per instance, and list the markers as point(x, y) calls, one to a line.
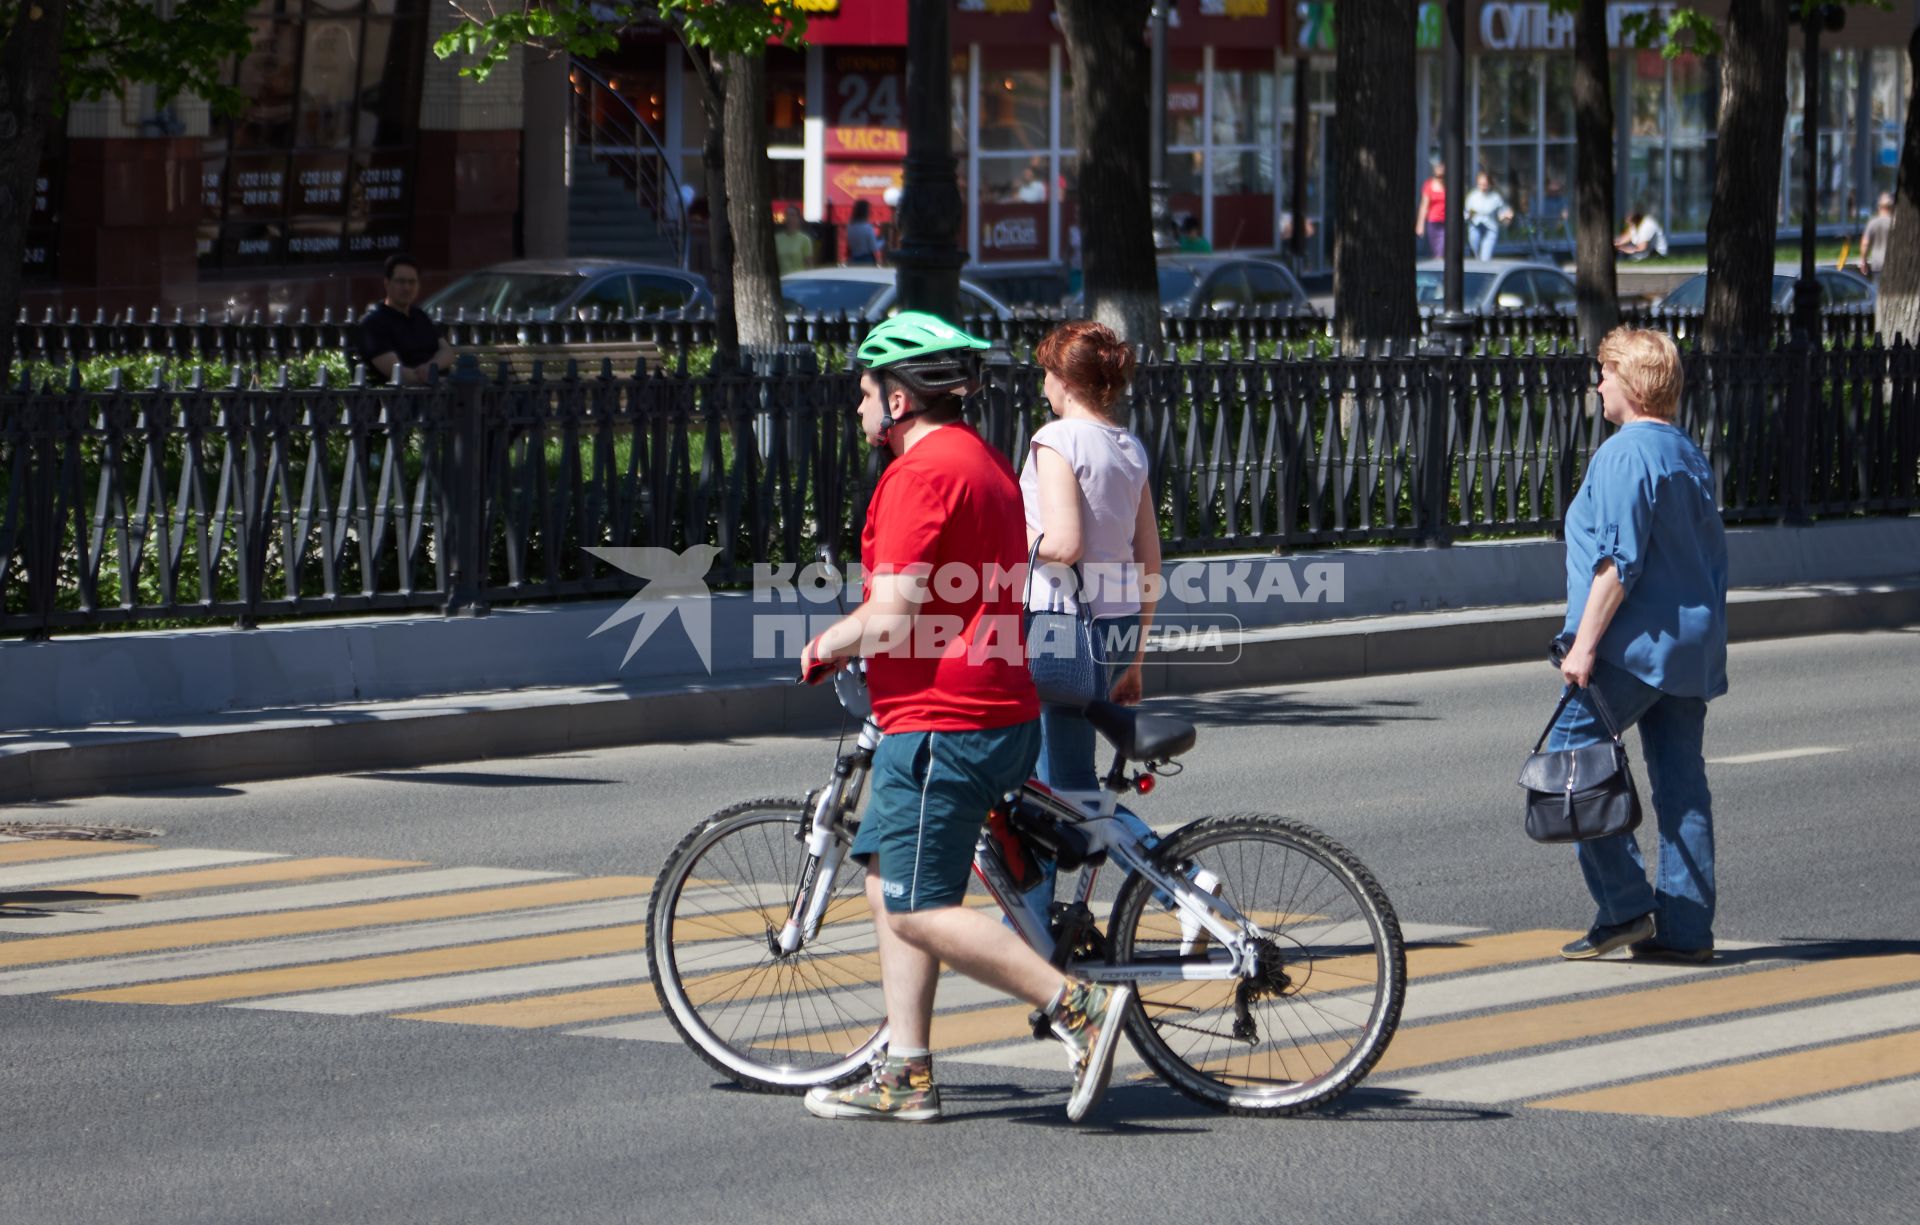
point(1671, 736)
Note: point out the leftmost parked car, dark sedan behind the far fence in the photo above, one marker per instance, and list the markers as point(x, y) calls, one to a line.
point(562, 289)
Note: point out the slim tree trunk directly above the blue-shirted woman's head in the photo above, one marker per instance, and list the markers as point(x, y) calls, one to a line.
point(1593, 124)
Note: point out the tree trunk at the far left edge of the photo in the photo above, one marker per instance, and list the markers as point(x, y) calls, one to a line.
point(30, 80)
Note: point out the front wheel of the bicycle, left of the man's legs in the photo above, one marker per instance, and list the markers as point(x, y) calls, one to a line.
point(771, 1022)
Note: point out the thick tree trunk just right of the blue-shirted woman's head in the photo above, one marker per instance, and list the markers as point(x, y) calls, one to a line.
point(1746, 181)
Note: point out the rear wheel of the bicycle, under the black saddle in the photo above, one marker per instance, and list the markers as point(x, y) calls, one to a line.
point(1312, 1042)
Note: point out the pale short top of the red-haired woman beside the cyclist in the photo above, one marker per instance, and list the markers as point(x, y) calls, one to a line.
point(1111, 466)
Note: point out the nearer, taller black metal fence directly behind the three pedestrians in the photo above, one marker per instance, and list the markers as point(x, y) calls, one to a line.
point(243, 504)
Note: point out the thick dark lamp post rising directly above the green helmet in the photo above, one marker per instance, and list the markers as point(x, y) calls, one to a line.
point(930, 195)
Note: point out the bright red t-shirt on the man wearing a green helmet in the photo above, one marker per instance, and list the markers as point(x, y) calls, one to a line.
point(949, 510)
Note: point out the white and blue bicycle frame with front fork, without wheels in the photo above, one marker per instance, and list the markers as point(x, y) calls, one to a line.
point(1236, 938)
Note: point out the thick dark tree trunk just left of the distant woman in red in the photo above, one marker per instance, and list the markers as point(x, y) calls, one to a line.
point(1374, 174)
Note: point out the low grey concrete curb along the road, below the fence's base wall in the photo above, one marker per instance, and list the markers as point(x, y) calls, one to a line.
point(373, 736)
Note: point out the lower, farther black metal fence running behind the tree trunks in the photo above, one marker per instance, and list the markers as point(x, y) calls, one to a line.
point(256, 339)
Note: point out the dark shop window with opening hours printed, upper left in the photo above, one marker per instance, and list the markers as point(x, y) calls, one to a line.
point(318, 170)
